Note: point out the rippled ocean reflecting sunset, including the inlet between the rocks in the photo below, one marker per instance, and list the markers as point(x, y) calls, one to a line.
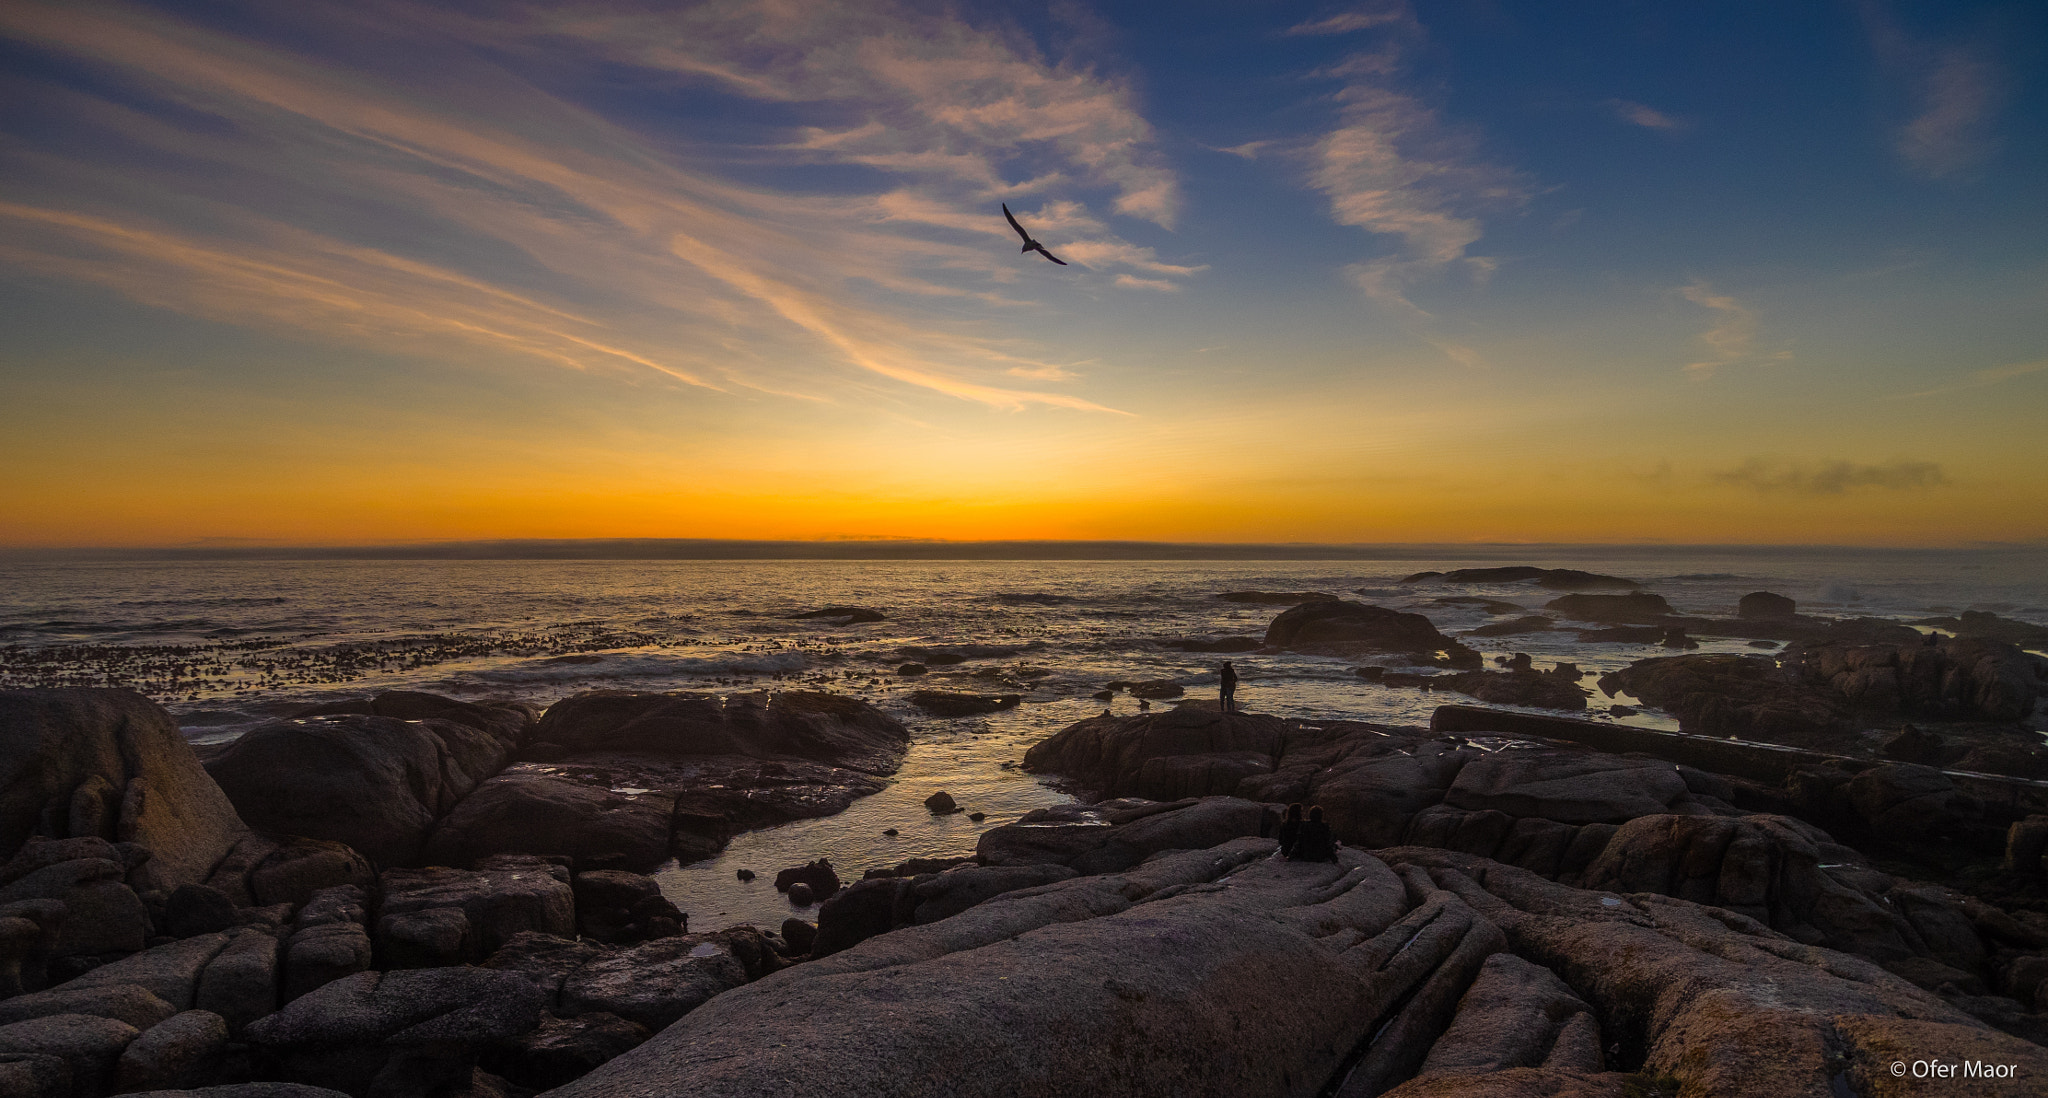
point(232, 644)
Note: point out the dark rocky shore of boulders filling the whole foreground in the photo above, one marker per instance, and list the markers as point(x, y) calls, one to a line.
point(1805, 863)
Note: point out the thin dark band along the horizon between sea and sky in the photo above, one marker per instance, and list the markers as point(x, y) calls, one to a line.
point(986, 550)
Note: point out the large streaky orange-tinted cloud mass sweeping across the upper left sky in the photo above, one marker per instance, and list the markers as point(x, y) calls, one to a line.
point(490, 220)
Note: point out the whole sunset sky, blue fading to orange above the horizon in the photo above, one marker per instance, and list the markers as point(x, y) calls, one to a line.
point(1467, 271)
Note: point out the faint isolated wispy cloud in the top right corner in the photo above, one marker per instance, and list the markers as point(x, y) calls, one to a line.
point(1951, 91)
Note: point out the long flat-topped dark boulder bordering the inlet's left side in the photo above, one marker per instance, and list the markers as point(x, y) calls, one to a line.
point(787, 724)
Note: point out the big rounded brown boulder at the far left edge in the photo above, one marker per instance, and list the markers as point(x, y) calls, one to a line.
point(112, 765)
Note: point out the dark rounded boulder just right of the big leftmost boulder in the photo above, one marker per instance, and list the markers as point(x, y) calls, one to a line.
point(374, 784)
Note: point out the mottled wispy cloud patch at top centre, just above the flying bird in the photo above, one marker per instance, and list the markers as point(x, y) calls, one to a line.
point(933, 95)
